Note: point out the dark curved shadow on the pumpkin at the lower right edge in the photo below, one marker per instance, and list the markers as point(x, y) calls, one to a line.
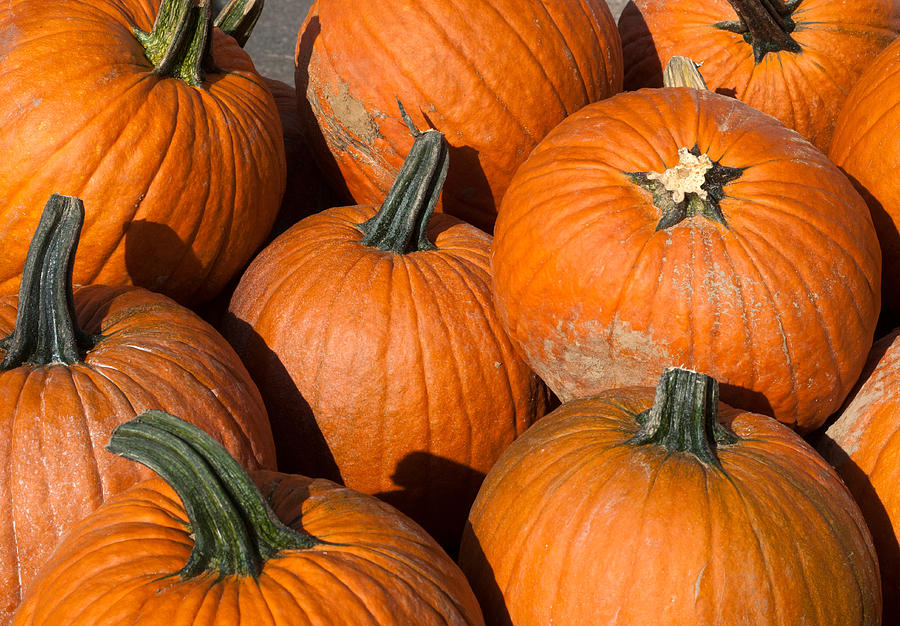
point(877, 519)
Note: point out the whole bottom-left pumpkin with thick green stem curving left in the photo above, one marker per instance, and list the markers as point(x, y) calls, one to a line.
point(209, 544)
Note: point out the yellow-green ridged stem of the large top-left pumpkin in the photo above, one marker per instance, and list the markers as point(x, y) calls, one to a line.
point(178, 46)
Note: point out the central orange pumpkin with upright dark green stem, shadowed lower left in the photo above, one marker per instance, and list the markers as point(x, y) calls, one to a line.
point(382, 363)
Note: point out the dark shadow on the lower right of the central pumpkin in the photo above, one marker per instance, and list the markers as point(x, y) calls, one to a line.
point(437, 493)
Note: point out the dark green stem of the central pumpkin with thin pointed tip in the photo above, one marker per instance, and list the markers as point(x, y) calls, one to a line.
point(401, 222)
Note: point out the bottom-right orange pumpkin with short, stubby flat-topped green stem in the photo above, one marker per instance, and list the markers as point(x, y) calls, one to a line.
point(667, 507)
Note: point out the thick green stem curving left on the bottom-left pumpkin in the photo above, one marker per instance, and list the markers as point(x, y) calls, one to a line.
point(235, 531)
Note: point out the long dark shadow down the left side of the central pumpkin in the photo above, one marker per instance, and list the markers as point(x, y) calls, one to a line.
point(299, 444)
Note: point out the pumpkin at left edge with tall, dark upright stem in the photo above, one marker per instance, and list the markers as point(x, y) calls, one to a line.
point(76, 363)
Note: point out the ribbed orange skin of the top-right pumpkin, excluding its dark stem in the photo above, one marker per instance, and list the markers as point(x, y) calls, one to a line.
point(805, 91)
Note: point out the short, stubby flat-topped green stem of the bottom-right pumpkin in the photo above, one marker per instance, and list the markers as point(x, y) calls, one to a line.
point(684, 416)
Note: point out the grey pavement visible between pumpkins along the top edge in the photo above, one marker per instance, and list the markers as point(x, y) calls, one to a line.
point(272, 44)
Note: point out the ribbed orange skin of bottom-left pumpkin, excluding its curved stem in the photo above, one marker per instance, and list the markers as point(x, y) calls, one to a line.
point(380, 569)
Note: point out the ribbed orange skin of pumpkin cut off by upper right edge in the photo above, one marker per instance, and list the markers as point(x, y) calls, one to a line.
point(865, 148)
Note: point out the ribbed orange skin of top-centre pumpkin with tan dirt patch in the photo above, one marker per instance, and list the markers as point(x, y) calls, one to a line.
point(494, 86)
